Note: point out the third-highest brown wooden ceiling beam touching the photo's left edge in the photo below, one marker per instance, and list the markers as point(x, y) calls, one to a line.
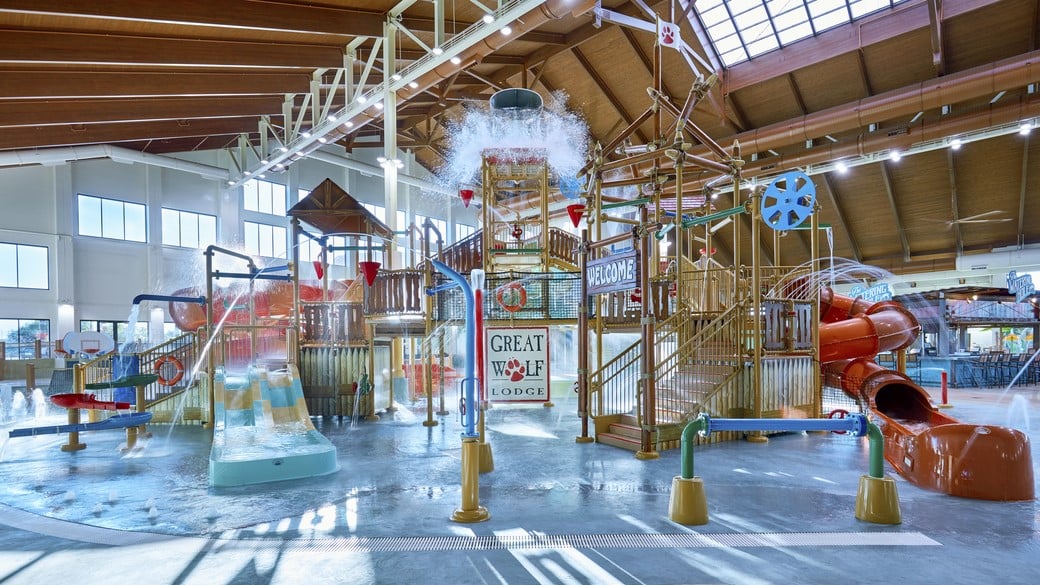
point(143, 110)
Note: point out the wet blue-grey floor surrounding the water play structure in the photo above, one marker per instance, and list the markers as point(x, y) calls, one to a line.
point(561, 513)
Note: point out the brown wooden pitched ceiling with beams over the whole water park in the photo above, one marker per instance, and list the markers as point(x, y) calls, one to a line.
point(168, 78)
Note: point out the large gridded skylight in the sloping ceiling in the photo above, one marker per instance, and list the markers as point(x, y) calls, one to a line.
point(743, 30)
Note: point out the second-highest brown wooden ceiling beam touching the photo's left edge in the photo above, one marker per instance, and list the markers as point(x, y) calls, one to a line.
point(34, 85)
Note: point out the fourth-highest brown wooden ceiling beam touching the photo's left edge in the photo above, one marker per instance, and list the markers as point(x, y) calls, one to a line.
point(31, 137)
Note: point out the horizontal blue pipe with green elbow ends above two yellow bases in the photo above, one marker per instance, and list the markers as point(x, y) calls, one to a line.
point(857, 425)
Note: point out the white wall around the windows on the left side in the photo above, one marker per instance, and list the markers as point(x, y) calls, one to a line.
point(100, 277)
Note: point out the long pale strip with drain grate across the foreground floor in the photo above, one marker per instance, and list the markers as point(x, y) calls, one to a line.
point(550, 542)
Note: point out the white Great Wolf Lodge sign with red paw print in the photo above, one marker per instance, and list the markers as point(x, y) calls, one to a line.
point(517, 362)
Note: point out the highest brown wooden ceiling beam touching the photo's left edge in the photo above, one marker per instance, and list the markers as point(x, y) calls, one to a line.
point(51, 47)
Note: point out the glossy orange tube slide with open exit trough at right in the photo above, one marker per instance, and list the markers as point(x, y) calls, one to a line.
point(925, 446)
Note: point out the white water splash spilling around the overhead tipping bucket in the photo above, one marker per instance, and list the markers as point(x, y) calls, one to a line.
point(561, 134)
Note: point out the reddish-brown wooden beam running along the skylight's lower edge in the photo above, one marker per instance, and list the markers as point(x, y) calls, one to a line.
point(844, 40)
